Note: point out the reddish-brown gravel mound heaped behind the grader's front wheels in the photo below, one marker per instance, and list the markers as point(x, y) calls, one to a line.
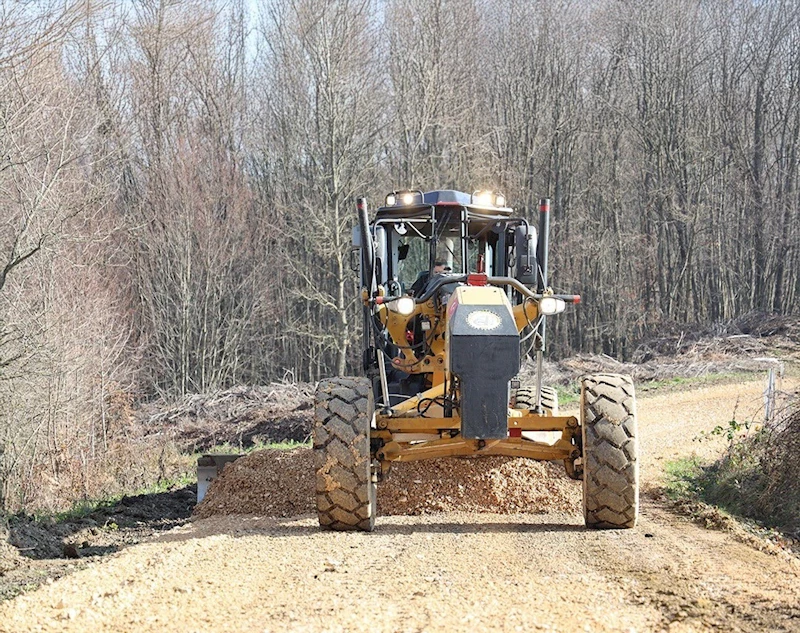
point(281, 484)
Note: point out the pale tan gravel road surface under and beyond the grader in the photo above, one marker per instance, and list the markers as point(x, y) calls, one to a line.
point(446, 572)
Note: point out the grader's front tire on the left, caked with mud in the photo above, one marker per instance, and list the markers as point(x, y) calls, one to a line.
point(346, 490)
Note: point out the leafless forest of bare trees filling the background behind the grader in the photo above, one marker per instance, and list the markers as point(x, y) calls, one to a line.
point(178, 183)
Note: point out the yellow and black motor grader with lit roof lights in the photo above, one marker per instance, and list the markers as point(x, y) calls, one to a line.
point(455, 297)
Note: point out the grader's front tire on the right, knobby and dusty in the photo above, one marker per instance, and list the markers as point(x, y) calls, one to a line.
point(610, 451)
